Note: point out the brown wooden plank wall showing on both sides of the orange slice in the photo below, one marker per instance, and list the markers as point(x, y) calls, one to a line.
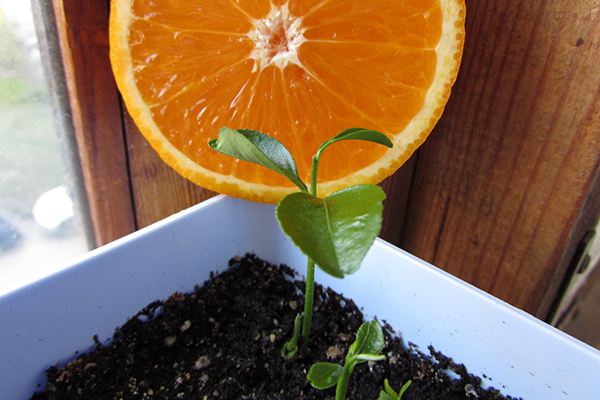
point(499, 195)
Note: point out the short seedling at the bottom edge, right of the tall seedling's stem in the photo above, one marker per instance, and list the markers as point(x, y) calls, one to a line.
point(369, 343)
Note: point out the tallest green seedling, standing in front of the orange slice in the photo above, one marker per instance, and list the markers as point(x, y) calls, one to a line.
point(336, 231)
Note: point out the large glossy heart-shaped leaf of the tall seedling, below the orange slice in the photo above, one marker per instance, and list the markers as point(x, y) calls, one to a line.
point(335, 232)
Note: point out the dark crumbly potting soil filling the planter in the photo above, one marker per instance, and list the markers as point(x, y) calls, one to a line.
point(223, 340)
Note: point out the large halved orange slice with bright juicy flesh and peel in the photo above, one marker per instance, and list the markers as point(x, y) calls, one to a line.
point(299, 70)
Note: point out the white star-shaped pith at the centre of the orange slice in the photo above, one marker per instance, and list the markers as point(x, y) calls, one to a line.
point(265, 53)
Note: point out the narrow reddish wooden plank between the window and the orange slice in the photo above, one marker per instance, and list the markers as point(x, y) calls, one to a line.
point(83, 33)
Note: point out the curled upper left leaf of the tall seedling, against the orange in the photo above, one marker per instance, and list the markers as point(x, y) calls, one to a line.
point(258, 148)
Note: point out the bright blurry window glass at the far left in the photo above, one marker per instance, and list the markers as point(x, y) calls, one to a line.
point(39, 228)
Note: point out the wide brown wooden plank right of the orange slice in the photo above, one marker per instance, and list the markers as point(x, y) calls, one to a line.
point(501, 183)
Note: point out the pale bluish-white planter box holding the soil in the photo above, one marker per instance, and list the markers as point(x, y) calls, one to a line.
point(52, 318)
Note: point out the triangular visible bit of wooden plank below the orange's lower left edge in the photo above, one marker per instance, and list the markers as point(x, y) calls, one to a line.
point(158, 190)
